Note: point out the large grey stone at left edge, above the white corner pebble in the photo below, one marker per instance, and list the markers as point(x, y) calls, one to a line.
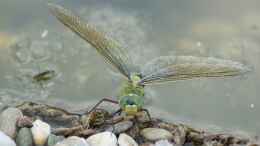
point(8, 119)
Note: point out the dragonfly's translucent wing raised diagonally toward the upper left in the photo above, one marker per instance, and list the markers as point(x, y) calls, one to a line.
point(108, 48)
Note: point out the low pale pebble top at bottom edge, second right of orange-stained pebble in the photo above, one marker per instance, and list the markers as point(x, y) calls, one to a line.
point(73, 141)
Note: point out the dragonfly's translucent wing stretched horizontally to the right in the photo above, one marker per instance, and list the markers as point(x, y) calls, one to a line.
point(170, 68)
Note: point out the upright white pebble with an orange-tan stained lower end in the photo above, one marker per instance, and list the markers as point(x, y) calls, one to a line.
point(40, 132)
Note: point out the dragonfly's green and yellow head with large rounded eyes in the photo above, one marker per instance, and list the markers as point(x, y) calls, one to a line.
point(131, 104)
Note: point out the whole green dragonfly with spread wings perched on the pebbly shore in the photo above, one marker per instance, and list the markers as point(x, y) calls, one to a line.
point(159, 70)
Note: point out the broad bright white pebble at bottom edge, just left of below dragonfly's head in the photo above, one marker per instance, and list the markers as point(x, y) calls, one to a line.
point(103, 139)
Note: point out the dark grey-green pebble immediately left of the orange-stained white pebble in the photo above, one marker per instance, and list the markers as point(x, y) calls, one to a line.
point(24, 137)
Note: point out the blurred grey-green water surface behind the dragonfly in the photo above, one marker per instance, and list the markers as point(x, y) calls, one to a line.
point(33, 41)
